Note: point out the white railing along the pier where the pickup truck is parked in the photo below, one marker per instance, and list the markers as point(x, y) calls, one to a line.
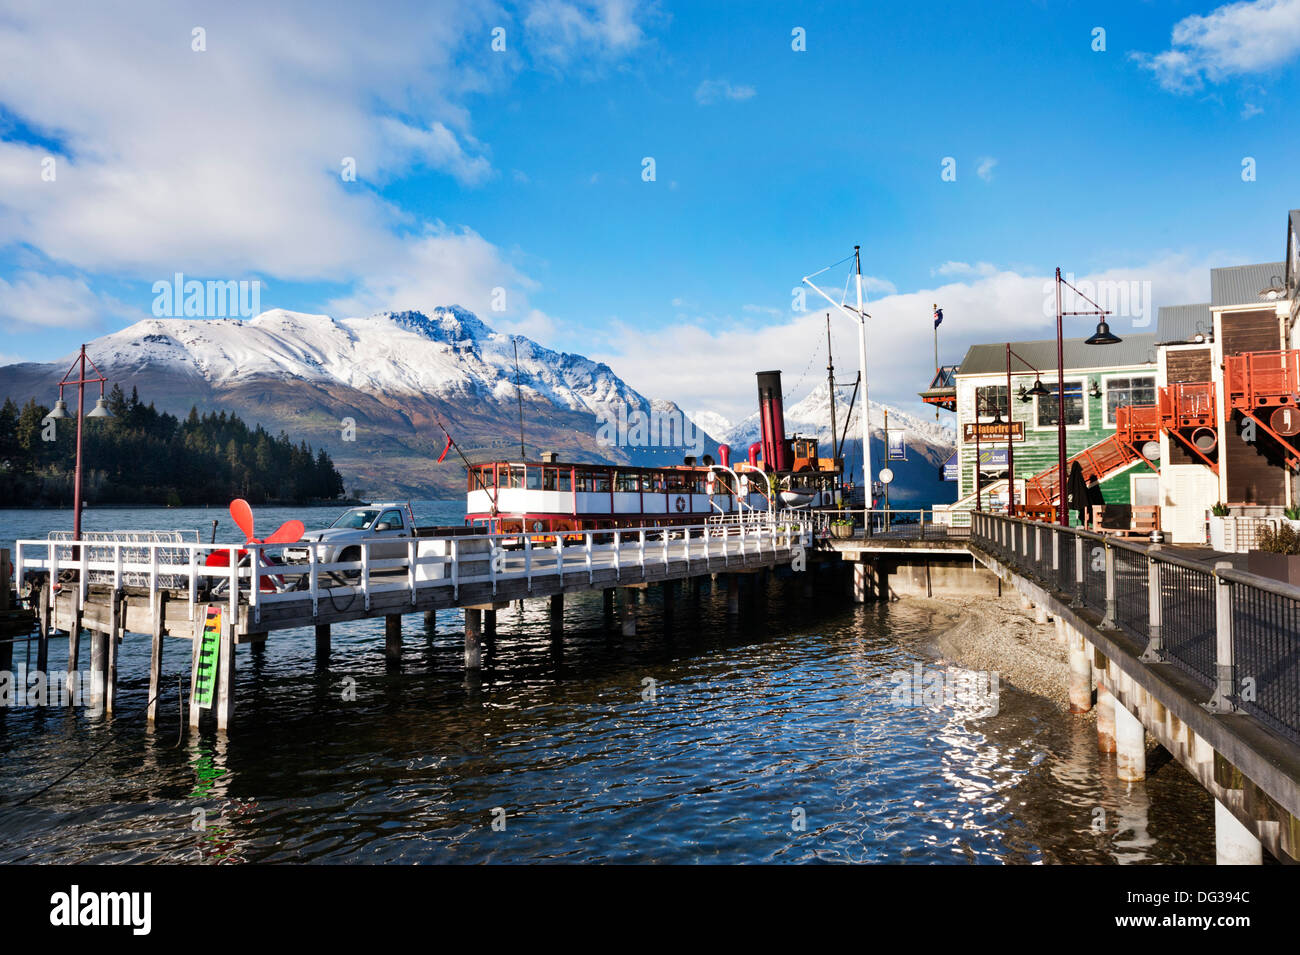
point(428, 563)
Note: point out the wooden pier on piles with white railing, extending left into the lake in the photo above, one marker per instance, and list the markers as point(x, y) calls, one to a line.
point(168, 591)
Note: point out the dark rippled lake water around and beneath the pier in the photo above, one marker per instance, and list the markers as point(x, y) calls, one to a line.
point(766, 739)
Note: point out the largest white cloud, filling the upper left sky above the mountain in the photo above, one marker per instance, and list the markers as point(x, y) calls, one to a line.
point(227, 163)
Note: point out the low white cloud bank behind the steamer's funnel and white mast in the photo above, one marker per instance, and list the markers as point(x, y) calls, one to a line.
point(714, 363)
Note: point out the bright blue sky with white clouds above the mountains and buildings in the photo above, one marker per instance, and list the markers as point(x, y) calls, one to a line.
point(523, 170)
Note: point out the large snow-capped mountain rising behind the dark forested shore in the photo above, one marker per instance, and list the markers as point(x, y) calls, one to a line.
point(375, 392)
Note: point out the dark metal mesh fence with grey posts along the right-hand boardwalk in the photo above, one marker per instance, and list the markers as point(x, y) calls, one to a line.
point(1236, 633)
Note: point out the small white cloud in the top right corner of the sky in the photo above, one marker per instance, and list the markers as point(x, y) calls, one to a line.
point(1236, 40)
